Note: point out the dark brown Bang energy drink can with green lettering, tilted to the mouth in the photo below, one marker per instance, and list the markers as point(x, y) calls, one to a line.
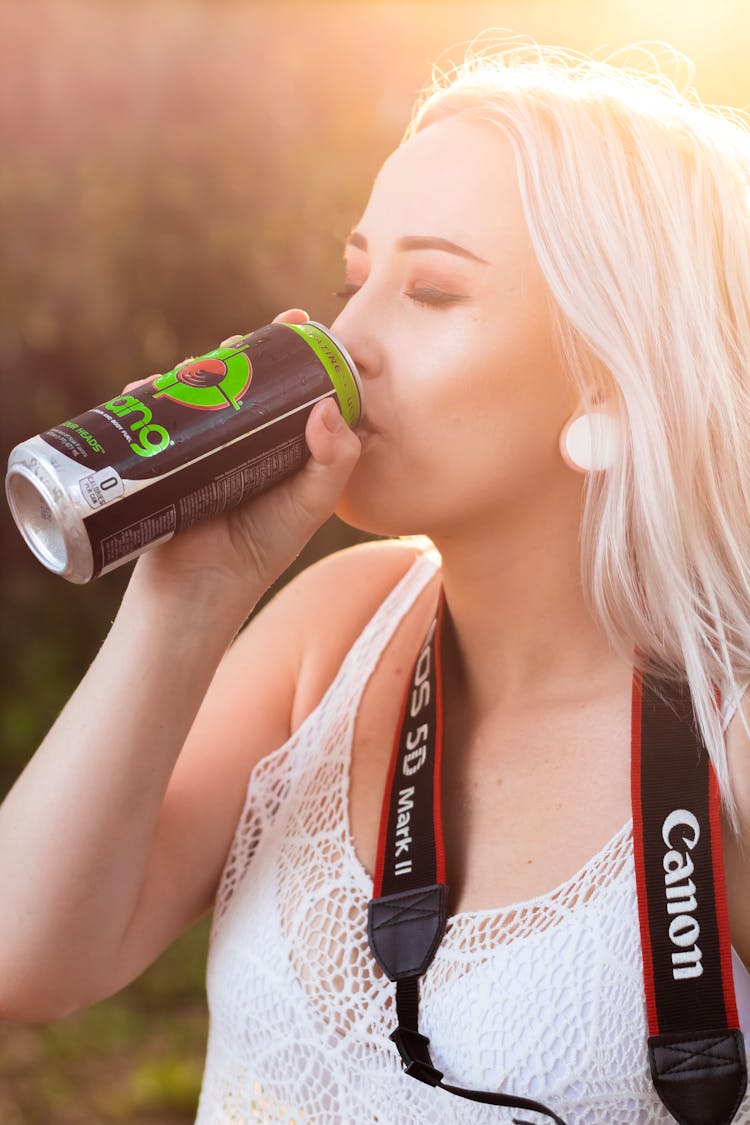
point(100, 490)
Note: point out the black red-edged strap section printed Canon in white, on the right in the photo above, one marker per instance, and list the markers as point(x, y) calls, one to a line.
point(697, 1049)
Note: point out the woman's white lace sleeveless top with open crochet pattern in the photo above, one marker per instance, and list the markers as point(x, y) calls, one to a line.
point(544, 998)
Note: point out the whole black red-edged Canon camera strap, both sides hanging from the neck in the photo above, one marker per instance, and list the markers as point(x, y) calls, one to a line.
point(697, 1050)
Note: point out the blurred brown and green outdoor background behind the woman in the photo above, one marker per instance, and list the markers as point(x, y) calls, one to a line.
point(171, 173)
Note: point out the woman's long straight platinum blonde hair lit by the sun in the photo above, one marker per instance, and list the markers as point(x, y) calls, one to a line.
point(637, 197)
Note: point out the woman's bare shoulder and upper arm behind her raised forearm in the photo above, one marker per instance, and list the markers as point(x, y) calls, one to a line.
point(283, 658)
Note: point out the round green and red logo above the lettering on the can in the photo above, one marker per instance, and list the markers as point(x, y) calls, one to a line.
point(211, 383)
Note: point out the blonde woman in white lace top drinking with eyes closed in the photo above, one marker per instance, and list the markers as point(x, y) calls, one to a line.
point(556, 239)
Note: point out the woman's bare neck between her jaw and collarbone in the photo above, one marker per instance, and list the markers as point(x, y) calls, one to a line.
point(520, 632)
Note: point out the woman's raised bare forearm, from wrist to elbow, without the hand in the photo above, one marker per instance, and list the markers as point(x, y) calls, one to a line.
point(79, 826)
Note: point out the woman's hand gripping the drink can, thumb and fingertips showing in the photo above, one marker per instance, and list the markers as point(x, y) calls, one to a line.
point(246, 550)
